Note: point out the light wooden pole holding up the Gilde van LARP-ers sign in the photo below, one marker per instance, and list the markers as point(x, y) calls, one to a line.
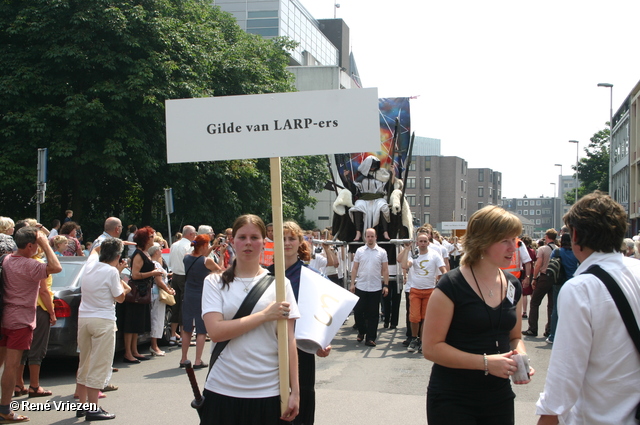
point(278, 263)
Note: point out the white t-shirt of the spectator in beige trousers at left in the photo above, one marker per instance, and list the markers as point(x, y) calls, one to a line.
point(100, 285)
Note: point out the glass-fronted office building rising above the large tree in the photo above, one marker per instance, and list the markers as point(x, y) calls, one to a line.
point(286, 18)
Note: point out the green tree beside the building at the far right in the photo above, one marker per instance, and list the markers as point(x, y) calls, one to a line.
point(593, 169)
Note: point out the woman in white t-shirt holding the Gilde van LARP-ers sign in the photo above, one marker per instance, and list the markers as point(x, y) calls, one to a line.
point(243, 386)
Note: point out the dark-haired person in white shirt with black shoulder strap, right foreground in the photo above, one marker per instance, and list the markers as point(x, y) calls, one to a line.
point(594, 367)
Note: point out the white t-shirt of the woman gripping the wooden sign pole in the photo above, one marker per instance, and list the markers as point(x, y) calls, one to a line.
point(248, 366)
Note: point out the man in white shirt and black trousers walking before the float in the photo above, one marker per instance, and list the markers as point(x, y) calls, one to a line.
point(369, 263)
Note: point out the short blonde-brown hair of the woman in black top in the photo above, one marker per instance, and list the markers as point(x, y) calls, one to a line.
point(487, 226)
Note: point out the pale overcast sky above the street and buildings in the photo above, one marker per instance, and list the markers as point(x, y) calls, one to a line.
point(503, 84)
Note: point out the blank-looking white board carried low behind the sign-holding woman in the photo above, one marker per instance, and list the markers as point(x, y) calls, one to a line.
point(324, 306)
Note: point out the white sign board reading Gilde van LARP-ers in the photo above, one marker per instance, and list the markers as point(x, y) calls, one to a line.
point(272, 125)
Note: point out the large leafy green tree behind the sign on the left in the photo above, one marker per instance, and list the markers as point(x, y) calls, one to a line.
point(88, 80)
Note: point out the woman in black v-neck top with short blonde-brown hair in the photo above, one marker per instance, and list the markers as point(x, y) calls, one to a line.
point(473, 327)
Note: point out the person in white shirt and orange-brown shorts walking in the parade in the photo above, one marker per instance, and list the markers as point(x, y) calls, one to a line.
point(427, 268)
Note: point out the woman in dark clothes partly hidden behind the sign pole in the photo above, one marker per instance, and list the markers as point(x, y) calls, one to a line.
point(296, 251)
